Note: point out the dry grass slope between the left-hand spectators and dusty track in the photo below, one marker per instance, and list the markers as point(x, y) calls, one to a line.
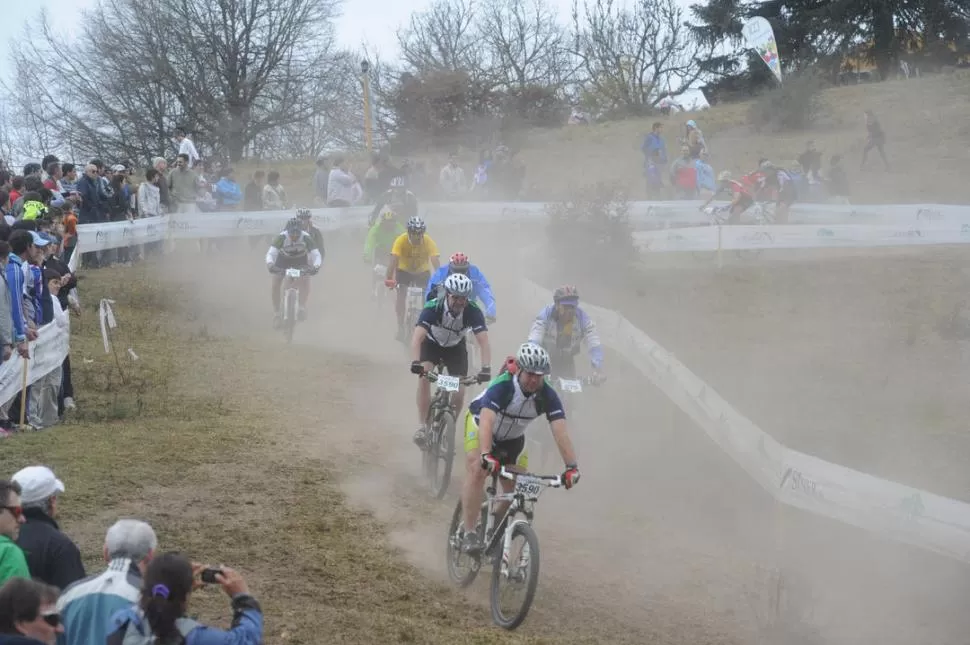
point(191, 441)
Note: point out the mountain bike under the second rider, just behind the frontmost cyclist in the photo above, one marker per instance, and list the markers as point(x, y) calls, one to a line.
point(438, 453)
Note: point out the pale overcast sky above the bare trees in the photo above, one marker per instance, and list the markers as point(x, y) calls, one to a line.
point(373, 22)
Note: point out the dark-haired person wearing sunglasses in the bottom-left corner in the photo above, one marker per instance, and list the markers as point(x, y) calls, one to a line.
point(28, 615)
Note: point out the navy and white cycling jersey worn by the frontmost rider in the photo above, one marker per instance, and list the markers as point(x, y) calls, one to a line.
point(514, 409)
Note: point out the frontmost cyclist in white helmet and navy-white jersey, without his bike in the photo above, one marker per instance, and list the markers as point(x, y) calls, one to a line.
point(495, 426)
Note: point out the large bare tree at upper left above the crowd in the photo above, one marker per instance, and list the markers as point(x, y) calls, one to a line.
point(228, 70)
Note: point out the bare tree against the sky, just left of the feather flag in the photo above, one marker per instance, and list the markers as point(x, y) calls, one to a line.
point(632, 57)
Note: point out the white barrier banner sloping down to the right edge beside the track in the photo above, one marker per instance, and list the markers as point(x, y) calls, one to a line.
point(890, 509)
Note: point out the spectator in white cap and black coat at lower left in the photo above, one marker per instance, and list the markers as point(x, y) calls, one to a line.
point(51, 555)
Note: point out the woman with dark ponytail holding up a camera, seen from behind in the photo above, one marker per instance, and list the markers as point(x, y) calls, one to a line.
point(159, 618)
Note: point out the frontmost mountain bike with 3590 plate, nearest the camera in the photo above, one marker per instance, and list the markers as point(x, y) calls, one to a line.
point(515, 569)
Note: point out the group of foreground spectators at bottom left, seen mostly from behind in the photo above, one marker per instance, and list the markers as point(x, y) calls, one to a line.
point(141, 597)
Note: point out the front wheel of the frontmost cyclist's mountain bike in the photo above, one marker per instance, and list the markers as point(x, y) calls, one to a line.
point(520, 574)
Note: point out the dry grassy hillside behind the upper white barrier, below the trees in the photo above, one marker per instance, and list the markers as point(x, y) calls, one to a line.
point(926, 120)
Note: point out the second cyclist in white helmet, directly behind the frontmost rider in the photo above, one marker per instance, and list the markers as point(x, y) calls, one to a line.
point(439, 336)
